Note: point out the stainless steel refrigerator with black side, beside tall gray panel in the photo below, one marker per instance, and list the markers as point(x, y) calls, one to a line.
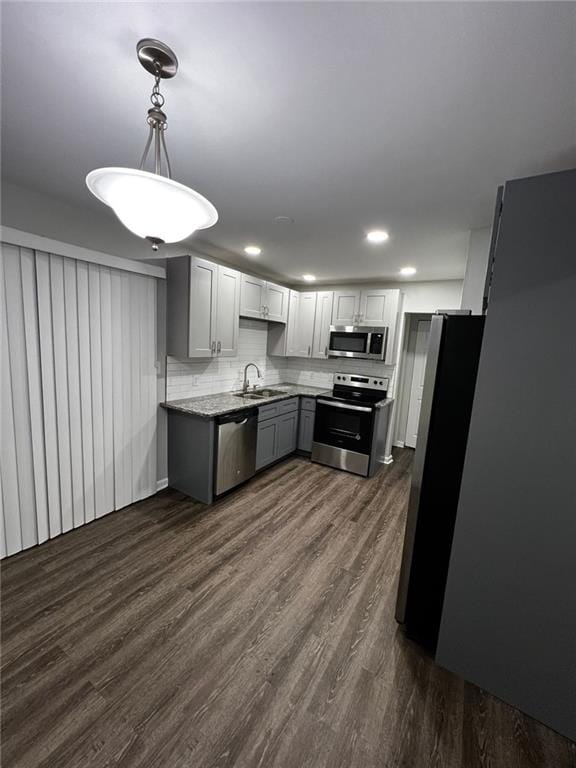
point(449, 382)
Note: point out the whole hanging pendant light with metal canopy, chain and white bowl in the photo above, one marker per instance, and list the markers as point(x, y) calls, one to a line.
point(153, 205)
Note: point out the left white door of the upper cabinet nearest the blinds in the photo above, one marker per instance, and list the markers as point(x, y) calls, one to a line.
point(202, 315)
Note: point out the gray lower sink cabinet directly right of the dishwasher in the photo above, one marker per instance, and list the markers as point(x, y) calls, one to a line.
point(277, 432)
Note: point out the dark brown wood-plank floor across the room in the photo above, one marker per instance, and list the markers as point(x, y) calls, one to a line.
point(257, 632)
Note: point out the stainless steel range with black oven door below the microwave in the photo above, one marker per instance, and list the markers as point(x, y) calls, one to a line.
point(351, 424)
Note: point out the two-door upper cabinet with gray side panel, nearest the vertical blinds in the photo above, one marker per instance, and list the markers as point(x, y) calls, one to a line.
point(202, 314)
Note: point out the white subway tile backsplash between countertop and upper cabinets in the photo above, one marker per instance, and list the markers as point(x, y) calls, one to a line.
point(186, 378)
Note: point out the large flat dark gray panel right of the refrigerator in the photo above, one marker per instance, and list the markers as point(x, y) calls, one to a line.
point(509, 619)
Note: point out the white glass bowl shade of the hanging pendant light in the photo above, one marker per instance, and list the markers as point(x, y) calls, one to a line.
point(152, 206)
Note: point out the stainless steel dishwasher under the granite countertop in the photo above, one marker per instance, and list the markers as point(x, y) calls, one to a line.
point(236, 436)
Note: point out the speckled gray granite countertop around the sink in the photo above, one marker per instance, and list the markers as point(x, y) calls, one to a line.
point(209, 406)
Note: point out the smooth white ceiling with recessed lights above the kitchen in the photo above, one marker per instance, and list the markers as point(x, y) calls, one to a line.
point(343, 116)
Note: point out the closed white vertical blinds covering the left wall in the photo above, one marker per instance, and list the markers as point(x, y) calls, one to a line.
point(78, 393)
